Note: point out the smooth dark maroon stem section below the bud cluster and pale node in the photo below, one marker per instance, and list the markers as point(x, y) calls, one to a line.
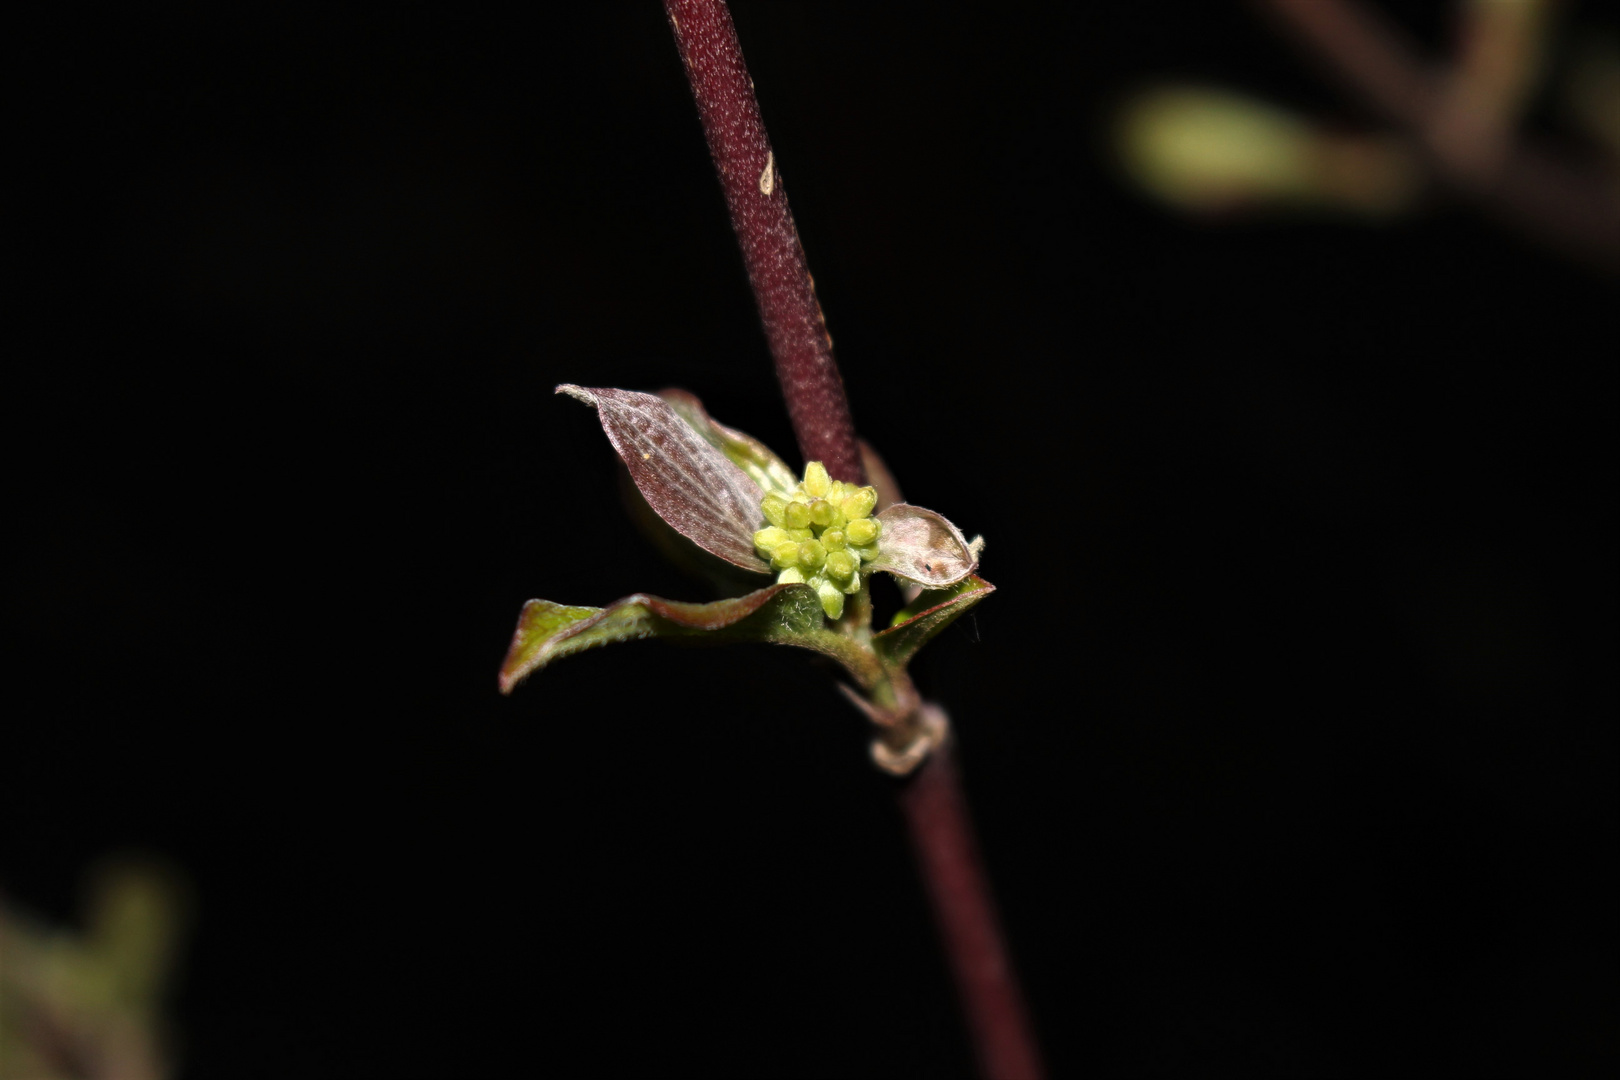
point(947, 851)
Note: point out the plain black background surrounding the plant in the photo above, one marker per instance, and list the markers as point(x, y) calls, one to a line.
point(1292, 728)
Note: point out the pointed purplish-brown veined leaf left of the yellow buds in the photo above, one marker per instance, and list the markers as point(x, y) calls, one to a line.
point(689, 483)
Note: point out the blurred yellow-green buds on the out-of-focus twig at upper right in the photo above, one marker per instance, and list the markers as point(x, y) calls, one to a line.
point(1216, 151)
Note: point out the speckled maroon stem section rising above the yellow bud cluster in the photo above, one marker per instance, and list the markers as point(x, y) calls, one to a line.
point(782, 283)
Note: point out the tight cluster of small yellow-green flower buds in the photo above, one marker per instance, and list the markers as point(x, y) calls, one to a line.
point(821, 535)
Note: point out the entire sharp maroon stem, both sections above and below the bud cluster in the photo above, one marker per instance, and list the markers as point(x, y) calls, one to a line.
point(932, 797)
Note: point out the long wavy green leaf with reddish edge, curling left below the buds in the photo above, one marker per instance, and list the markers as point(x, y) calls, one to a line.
point(783, 614)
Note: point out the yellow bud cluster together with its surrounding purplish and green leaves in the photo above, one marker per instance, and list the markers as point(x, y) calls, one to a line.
point(821, 537)
